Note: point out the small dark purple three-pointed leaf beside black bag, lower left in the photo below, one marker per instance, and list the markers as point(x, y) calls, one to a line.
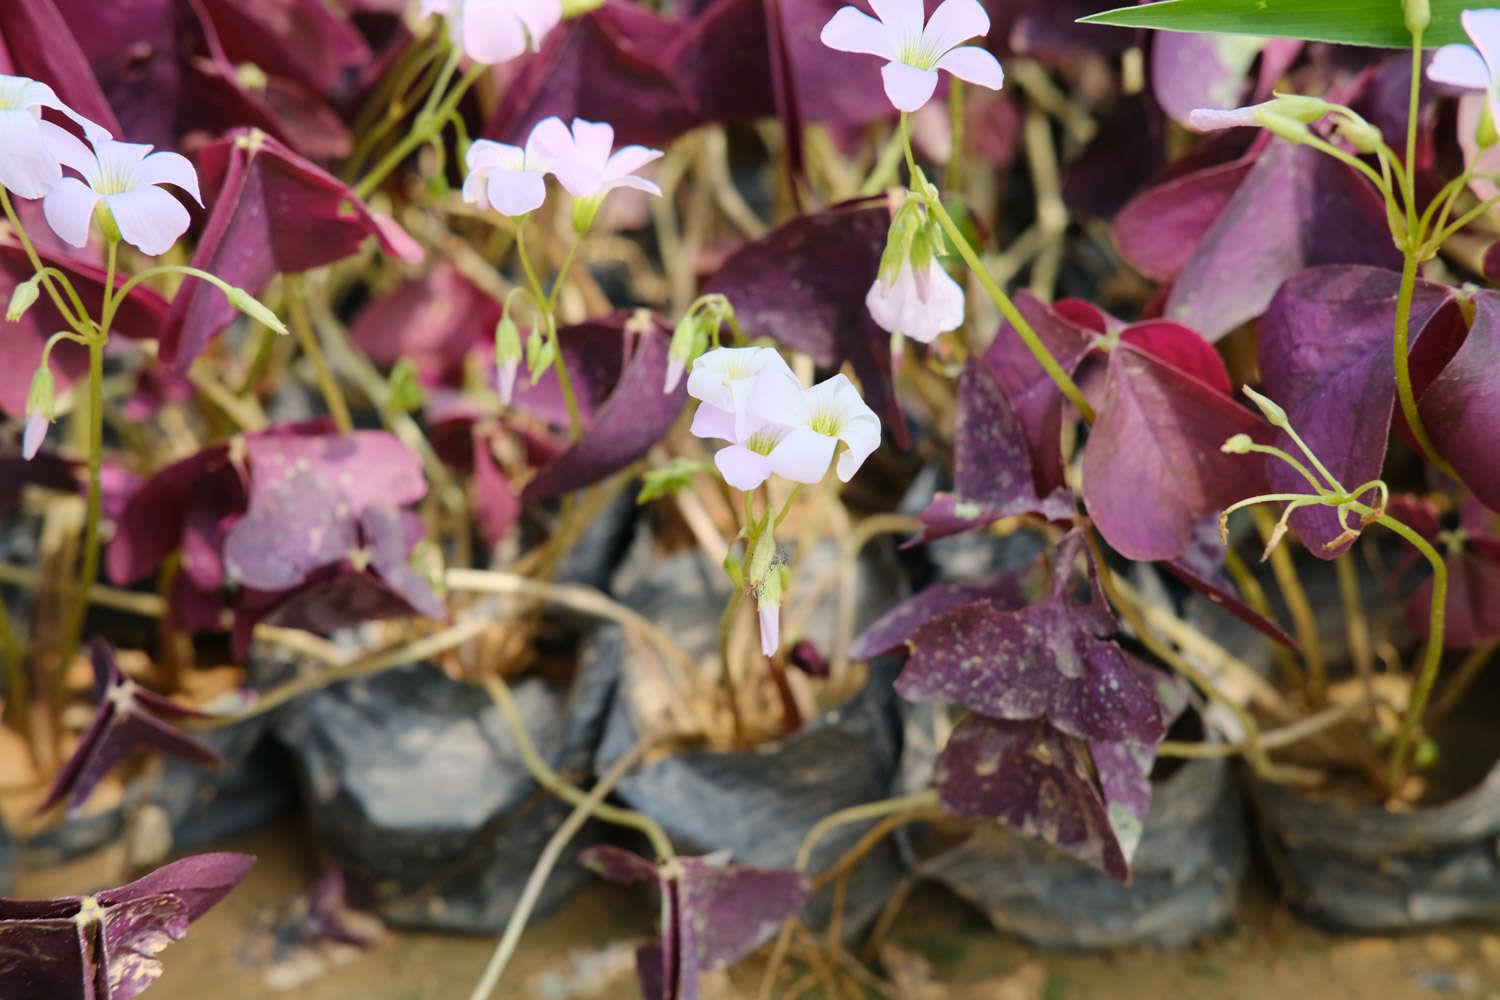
point(127, 717)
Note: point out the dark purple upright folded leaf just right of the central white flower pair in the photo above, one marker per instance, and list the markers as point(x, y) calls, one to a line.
point(992, 467)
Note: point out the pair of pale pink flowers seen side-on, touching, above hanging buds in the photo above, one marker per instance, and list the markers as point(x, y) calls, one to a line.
point(512, 179)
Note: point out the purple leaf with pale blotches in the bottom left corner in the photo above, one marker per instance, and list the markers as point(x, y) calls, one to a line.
point(106, 947)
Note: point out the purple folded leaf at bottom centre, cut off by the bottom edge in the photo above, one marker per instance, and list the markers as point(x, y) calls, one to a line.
point(715, 914)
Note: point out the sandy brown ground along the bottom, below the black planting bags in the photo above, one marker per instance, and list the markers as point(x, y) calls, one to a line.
point(944, 951)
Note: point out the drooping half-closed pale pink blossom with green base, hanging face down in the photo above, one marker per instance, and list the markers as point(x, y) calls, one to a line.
point(913, 295)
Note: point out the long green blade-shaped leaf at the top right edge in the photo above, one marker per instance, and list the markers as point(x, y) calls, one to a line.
point(1376, 23)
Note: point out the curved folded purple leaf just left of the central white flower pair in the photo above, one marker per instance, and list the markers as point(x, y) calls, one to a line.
point(632, 421)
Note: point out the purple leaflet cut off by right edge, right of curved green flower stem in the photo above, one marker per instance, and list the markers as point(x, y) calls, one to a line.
point(1462, 407)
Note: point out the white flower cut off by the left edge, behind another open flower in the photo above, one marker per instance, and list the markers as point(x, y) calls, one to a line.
point(32, 149)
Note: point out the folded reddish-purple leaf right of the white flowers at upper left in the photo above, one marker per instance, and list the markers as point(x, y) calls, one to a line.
point(272, 214)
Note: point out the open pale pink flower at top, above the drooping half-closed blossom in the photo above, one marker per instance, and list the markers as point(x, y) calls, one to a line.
point(916, 52)
